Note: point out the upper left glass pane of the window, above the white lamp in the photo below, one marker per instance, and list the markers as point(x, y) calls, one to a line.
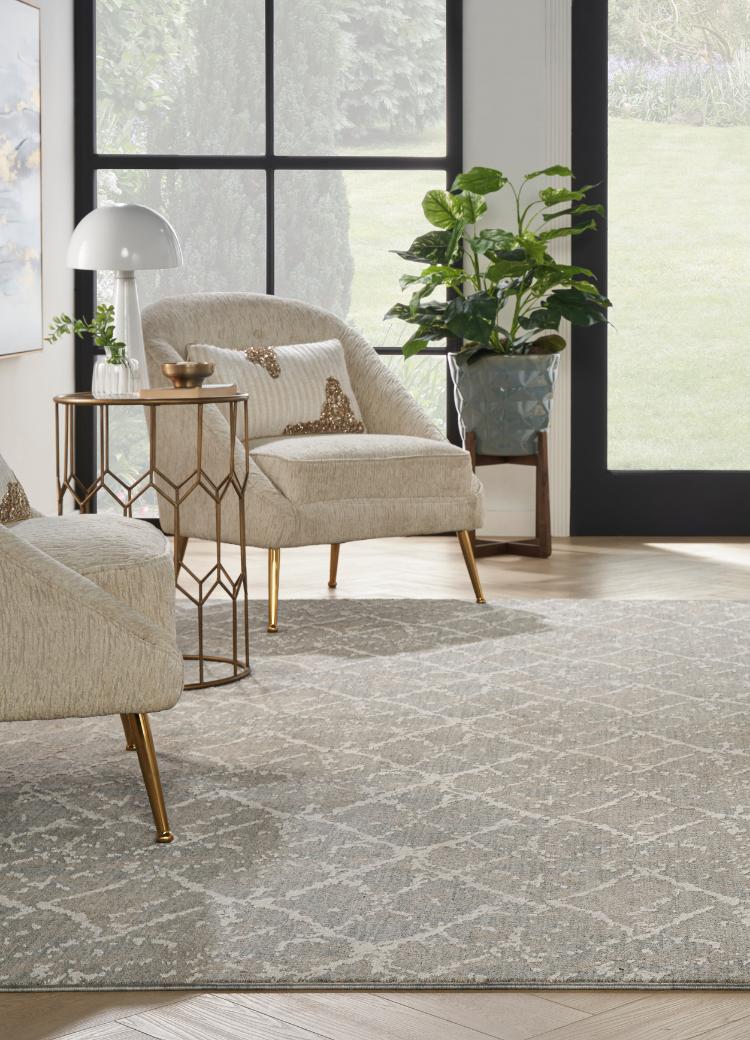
point(180, 77)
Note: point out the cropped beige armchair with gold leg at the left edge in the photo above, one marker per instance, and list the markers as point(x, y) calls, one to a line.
point(88, 629)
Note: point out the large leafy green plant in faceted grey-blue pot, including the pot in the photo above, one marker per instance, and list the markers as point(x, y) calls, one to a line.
point(508, 300)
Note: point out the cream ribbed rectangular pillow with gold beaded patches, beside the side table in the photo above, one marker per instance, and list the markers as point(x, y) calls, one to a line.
point(303, 388)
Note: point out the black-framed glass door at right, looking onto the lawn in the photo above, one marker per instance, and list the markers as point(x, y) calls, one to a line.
point(661, 443)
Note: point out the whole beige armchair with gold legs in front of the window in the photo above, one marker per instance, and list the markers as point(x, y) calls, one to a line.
point(400, 478)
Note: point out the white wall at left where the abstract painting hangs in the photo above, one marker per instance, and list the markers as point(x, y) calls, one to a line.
point(29, 382)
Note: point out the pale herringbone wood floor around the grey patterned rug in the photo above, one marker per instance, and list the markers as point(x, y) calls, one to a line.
point(604, 568)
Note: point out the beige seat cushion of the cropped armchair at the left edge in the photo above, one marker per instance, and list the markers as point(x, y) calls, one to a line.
point(130, 559)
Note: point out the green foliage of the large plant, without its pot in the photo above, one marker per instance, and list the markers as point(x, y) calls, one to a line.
point(509, 294)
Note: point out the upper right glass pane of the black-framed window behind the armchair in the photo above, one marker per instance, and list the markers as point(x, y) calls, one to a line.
point(353, 76)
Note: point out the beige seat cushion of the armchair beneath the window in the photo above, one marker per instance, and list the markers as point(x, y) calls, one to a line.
point(344, 466)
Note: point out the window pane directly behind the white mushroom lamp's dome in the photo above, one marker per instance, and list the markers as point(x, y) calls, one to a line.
point(219, 217)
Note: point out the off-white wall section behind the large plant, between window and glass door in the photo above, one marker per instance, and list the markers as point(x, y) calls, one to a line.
point(516, 119)
